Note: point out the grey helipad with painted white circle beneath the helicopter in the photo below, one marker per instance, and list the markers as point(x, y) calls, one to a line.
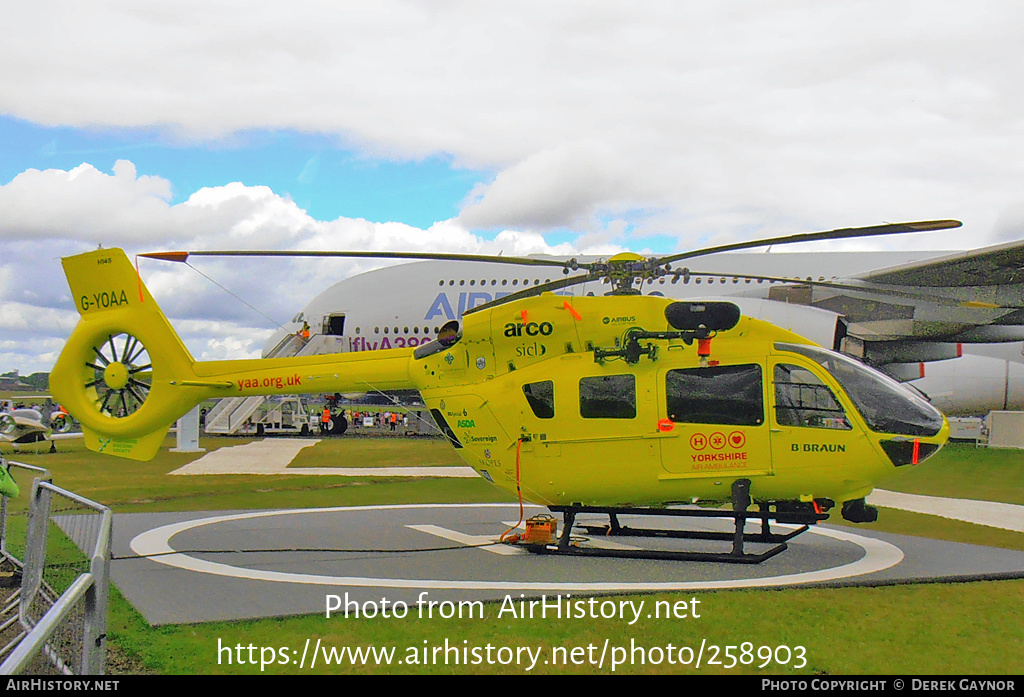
point(208, 567)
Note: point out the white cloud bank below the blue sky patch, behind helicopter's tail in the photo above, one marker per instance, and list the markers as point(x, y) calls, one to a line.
point(224, 309)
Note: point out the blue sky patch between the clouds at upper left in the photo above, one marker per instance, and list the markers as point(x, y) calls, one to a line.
point(314, 170)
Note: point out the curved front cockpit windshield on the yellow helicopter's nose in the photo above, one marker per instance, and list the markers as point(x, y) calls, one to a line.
point(887, 406)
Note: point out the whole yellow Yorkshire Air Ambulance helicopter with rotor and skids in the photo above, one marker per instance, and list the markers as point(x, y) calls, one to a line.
point(614, 405)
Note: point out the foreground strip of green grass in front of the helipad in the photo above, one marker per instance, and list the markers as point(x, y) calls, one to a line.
point(904, 630)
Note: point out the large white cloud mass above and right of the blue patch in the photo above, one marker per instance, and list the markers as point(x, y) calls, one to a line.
point(797, 115)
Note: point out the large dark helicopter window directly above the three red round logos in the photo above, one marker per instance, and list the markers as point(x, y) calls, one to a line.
point(718, 395)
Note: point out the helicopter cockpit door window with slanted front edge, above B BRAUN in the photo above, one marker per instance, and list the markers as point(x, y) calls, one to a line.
point(802, 400)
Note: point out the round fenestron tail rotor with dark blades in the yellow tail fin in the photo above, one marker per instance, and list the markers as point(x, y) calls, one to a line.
point(122, 375)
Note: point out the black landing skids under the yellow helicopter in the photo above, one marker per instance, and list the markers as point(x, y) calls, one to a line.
point(740, 516)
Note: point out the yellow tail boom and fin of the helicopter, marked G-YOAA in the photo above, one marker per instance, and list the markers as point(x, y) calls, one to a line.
point(126, 375)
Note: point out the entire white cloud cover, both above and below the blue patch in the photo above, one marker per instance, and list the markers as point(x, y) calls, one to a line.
point(699, 121)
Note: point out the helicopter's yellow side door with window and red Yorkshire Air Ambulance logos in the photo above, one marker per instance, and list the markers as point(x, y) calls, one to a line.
point(715, 422)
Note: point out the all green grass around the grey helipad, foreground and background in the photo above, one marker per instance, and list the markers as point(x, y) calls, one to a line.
point(922, 629)
